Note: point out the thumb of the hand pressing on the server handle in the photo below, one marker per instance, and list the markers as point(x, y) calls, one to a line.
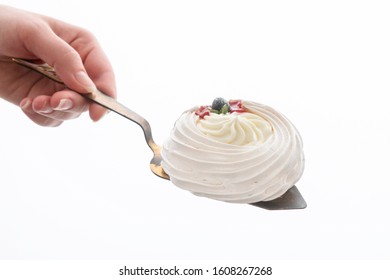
point(64, 58)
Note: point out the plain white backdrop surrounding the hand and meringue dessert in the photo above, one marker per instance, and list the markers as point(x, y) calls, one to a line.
point(84, 190)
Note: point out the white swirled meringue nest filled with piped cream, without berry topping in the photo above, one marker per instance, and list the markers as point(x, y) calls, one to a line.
point(238, 157)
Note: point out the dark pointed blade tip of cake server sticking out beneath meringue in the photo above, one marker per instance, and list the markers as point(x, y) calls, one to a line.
point(292, 199)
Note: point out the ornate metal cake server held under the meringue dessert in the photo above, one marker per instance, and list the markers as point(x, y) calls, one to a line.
point(292, 199)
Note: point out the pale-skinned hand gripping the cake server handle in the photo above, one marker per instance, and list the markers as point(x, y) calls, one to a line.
point(75, 54)
